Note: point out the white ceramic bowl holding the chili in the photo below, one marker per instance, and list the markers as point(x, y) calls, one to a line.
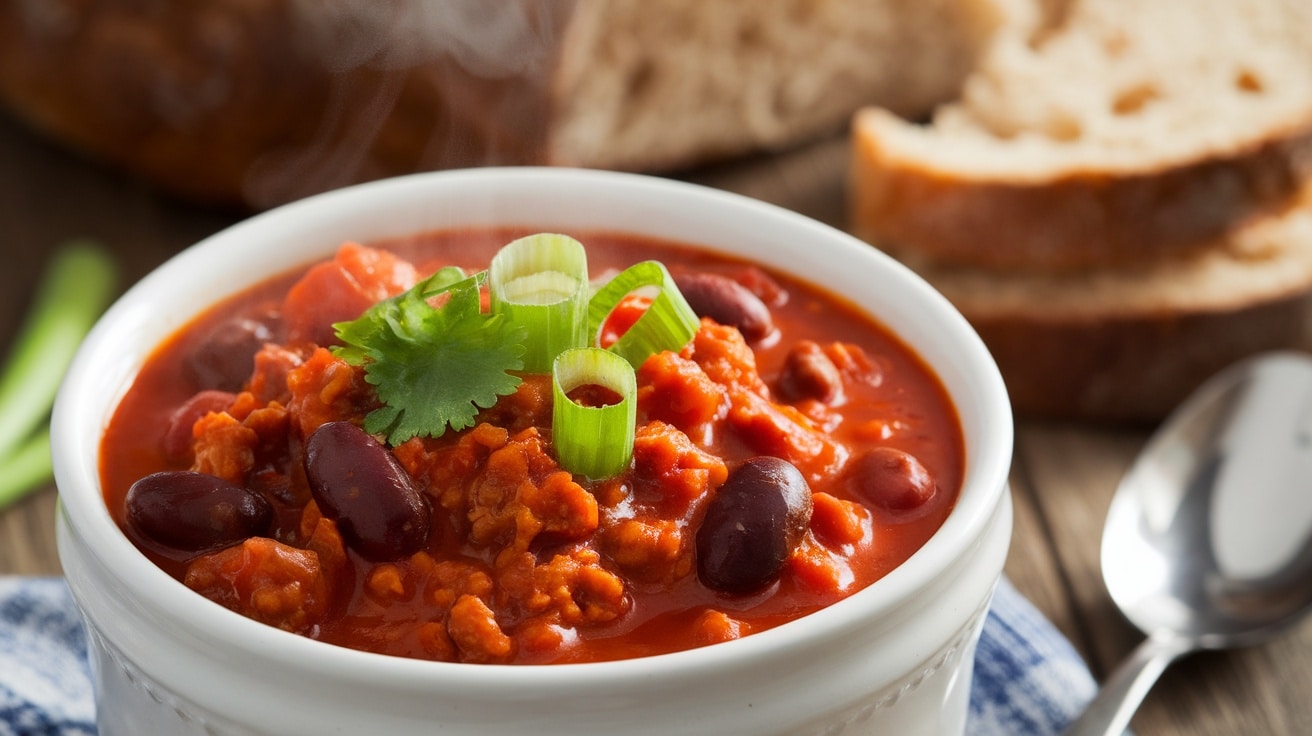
point(892, 659)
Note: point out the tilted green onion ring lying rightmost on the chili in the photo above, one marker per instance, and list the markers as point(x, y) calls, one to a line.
point(668, 325)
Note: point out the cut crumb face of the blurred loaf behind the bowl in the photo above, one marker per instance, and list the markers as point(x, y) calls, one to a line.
point(642, 85)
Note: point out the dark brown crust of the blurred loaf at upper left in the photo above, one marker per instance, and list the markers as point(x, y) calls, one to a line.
point(239, 103)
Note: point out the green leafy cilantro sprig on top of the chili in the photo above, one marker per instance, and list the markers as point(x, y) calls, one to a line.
point(434, 365)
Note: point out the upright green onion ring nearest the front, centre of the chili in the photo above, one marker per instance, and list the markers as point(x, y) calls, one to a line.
point(596, 443)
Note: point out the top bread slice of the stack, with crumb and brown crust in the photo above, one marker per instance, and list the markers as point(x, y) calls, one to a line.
point(1118, 132)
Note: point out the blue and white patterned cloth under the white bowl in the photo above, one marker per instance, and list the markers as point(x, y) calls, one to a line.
point(1029, 682)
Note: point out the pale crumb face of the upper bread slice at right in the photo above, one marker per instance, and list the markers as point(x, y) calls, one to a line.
point(1122, 86)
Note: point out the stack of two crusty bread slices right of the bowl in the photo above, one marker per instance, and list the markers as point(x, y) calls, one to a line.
point(1121, 203)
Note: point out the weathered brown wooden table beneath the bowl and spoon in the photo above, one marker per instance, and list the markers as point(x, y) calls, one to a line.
point(1063, 476)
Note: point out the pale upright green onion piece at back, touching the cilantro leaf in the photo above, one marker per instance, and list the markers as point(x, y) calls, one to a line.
point(541, 283)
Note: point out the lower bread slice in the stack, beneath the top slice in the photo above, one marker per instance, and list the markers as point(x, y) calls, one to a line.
point(1129, 343)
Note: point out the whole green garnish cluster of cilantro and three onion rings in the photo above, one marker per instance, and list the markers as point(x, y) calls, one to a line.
point(436, 359)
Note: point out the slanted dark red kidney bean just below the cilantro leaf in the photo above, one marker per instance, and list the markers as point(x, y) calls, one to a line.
point(359, 485)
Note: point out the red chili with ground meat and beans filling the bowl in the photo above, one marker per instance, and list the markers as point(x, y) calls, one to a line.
point(524, 562)
